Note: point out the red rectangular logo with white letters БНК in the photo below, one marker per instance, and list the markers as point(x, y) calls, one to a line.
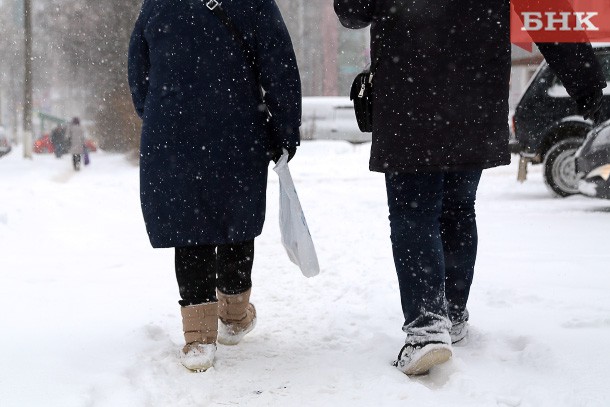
point(559, 21)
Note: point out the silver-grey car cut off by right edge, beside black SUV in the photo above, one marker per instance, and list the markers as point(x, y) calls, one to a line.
point(593, 163)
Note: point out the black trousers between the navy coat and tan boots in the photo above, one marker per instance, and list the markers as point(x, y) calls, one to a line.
point(200, 270)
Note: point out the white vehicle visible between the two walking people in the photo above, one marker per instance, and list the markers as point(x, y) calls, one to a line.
point(331, 118)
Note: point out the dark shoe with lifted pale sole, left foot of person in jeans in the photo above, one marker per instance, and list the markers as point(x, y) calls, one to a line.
point(418, 359)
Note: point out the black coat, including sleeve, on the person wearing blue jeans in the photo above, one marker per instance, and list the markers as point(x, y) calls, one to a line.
point(441, 88)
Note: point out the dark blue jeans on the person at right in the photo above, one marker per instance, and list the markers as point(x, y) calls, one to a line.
point(434, 241)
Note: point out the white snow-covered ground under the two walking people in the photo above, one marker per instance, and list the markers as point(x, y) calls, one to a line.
point(89, 313)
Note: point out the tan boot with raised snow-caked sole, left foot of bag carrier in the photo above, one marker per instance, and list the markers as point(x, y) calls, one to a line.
point(200, 325)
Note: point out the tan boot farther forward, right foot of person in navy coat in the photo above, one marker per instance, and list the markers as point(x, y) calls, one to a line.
point(237, 317)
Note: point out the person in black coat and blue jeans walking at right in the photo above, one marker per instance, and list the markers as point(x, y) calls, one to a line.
point(440, 109)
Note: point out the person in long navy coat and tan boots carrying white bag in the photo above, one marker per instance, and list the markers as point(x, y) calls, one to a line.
point(207, 140)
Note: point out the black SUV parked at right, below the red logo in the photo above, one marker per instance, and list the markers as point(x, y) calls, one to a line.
point(547, 130)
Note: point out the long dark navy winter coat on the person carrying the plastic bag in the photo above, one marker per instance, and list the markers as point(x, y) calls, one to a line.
point(205, 135)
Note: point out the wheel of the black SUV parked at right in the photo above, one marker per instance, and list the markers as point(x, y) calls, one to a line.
point(560, 167)
